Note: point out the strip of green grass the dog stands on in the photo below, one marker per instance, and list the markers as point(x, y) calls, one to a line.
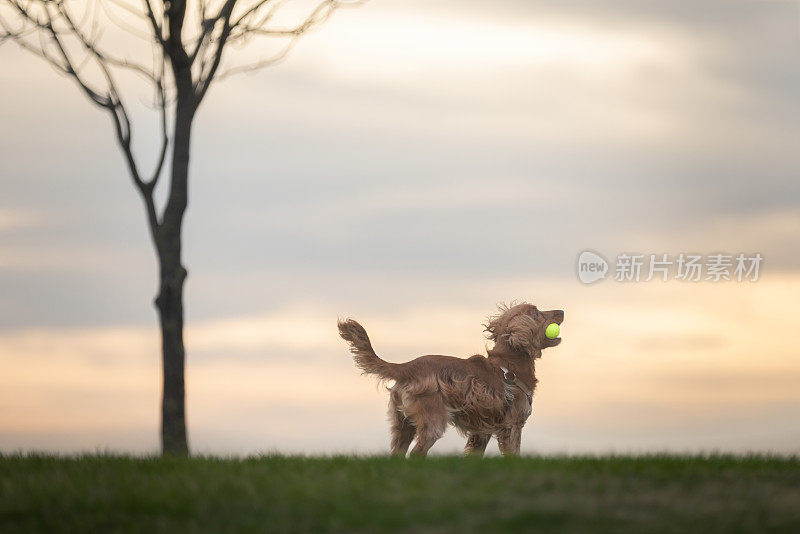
point(379, 494)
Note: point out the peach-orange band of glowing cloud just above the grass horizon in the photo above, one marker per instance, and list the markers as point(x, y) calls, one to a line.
point(630, 373)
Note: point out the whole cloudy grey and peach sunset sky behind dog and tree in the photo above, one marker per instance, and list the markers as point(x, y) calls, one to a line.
point(411, 165)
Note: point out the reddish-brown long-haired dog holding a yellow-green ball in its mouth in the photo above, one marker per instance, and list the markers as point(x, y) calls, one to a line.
point(481, 396)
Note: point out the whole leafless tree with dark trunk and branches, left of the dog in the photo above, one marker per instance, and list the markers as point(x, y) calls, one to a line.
point(187, 43)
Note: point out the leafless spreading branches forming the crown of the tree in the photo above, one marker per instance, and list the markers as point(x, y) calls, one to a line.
point(186, 62)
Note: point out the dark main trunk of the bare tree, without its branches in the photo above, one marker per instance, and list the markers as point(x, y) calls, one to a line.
point(169, 301)
